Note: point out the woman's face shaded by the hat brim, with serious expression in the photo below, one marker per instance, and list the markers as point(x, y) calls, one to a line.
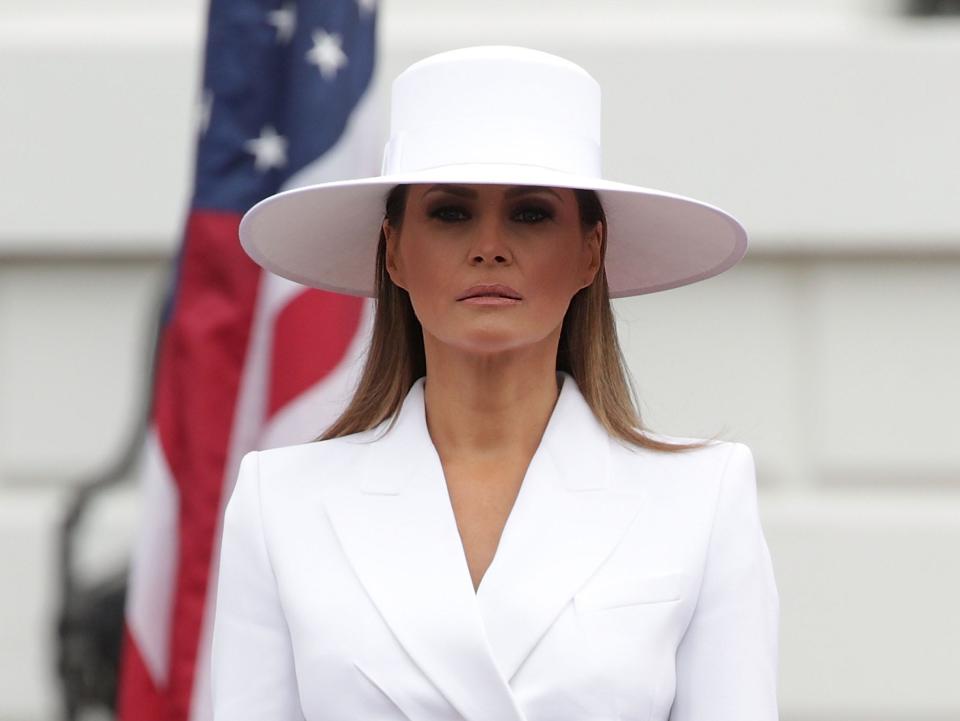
point(491, 268)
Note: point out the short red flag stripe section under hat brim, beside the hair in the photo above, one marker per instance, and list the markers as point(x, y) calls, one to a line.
point(311, 336)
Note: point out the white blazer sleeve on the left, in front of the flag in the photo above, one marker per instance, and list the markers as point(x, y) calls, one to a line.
point(252, 670)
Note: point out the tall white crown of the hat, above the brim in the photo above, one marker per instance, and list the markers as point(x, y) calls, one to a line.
point(494, 104)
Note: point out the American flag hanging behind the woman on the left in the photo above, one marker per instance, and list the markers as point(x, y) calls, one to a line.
point(246, 360)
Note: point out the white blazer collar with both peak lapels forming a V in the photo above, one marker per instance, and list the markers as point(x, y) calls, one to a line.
point(399, 532)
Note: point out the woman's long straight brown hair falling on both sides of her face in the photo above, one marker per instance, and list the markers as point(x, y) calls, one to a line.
point(589, 349)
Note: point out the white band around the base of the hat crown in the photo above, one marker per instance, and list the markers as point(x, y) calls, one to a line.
point(409, 152)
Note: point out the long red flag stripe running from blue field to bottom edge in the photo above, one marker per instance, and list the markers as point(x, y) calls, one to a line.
point(199, 368)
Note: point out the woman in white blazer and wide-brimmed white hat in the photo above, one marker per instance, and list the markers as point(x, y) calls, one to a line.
point(488, 533)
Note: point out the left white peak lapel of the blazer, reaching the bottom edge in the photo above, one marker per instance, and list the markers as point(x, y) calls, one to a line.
point(398, 530)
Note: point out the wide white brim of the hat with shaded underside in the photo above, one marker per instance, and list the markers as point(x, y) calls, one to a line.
point(325, 236)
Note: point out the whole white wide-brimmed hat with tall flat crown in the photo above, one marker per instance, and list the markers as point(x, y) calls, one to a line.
point(504, 115)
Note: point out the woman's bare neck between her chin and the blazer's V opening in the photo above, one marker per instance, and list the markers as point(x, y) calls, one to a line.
point(489, 406)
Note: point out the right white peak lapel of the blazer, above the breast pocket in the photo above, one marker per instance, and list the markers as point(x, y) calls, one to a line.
point(567, 519)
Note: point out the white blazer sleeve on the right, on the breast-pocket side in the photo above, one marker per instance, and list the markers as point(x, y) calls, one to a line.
point(727, 660)
